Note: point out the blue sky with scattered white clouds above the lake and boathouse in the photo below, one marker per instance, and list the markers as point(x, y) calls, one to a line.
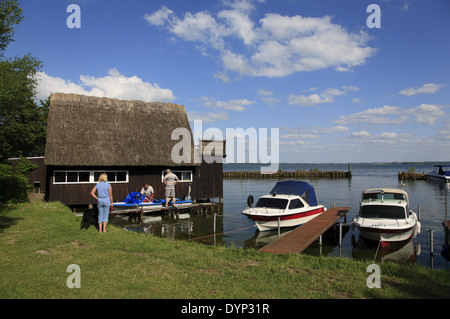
point(337, 90)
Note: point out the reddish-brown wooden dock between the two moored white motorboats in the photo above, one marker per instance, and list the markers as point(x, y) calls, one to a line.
point(300, 238)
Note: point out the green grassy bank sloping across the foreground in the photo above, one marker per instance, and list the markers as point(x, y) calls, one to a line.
point(39, 240)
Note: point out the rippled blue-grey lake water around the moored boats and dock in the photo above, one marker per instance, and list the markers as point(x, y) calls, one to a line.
point(235, 229)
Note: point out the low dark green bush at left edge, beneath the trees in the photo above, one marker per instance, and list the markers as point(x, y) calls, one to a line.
point(13, 189)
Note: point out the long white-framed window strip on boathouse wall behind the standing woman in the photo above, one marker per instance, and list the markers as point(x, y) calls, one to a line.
point(78, 177)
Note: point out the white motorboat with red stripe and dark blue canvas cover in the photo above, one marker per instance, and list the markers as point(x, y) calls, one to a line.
point(289, 204)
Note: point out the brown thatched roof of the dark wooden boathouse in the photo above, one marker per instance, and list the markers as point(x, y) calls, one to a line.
point(93, 131)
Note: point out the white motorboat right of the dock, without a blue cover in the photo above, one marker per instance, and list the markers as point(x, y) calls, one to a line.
point(385, 217)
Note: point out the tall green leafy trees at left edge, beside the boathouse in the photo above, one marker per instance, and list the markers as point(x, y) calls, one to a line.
point(23, 120)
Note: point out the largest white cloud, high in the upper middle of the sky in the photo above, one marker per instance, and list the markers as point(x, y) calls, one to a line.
point(275, 46)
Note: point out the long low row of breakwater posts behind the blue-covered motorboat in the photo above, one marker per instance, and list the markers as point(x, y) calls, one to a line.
point(283, 174)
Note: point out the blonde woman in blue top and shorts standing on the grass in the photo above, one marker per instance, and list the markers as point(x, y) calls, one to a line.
point(104, 201)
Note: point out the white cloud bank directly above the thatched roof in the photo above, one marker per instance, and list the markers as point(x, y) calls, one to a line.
point(114, 85)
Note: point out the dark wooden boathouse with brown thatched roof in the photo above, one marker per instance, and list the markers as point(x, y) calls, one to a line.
point(129, 140)
